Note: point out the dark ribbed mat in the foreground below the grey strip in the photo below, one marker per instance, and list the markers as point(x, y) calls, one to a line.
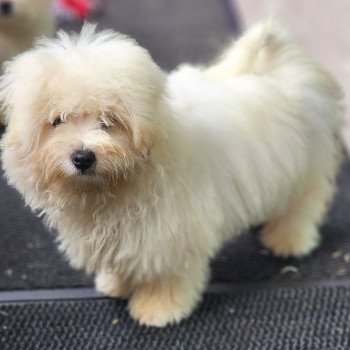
point(311, 318)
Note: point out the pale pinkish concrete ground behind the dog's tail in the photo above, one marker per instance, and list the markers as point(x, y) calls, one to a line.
point(321, 25)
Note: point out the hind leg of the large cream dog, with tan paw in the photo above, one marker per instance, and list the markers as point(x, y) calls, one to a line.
point(295, 233)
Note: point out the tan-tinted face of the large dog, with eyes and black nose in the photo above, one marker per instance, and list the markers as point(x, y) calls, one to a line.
point(90, 141)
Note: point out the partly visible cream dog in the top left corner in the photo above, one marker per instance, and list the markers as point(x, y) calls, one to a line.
point(20, 22)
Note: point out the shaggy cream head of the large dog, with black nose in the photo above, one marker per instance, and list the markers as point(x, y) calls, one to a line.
point(81, 111)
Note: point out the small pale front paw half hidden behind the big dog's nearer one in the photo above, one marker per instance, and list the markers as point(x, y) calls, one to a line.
point(111, 285)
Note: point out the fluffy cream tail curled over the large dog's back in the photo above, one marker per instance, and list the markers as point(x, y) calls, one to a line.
point(269, 50)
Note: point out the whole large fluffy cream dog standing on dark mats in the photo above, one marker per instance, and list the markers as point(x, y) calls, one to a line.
point(145, 175)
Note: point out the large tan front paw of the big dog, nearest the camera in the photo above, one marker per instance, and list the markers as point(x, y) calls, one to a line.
point(159, 306)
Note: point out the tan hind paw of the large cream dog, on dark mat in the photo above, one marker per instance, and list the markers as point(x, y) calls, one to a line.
point(285, 241)
